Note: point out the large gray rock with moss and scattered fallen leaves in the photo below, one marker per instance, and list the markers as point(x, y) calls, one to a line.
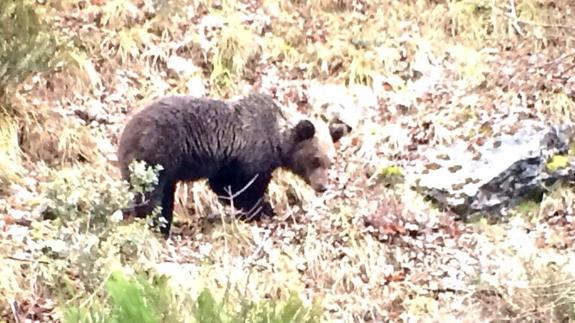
point(496, 175)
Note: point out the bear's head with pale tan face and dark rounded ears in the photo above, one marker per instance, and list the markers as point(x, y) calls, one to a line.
point(313, 152)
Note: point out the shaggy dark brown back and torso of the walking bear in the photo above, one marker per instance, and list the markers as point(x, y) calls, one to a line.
point(196, 137)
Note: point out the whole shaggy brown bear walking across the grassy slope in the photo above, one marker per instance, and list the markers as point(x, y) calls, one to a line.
point(236, 145)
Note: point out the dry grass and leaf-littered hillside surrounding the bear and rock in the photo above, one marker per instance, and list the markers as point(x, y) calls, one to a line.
point(422, 71)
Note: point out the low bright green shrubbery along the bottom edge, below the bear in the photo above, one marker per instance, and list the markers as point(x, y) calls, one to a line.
point(138, 299)
